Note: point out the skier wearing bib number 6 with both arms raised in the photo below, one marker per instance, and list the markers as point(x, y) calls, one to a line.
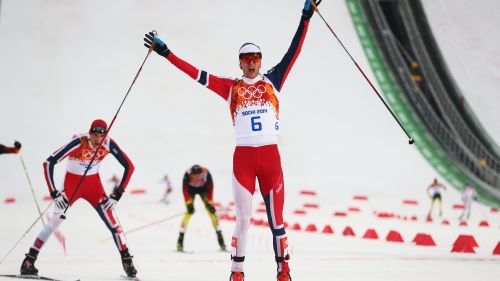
point(254, 106)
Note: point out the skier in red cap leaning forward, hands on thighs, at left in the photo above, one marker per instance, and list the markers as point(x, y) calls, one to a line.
point(79, 152)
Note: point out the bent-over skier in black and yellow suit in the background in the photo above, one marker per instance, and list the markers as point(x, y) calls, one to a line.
point(198, 180)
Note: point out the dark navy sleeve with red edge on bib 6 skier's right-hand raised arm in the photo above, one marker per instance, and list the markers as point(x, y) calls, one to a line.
point(278, 73)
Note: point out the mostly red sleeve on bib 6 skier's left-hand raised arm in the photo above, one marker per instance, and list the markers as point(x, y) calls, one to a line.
point(221, 86)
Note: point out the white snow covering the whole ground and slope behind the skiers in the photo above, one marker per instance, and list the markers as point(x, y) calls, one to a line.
point(64, 64)
